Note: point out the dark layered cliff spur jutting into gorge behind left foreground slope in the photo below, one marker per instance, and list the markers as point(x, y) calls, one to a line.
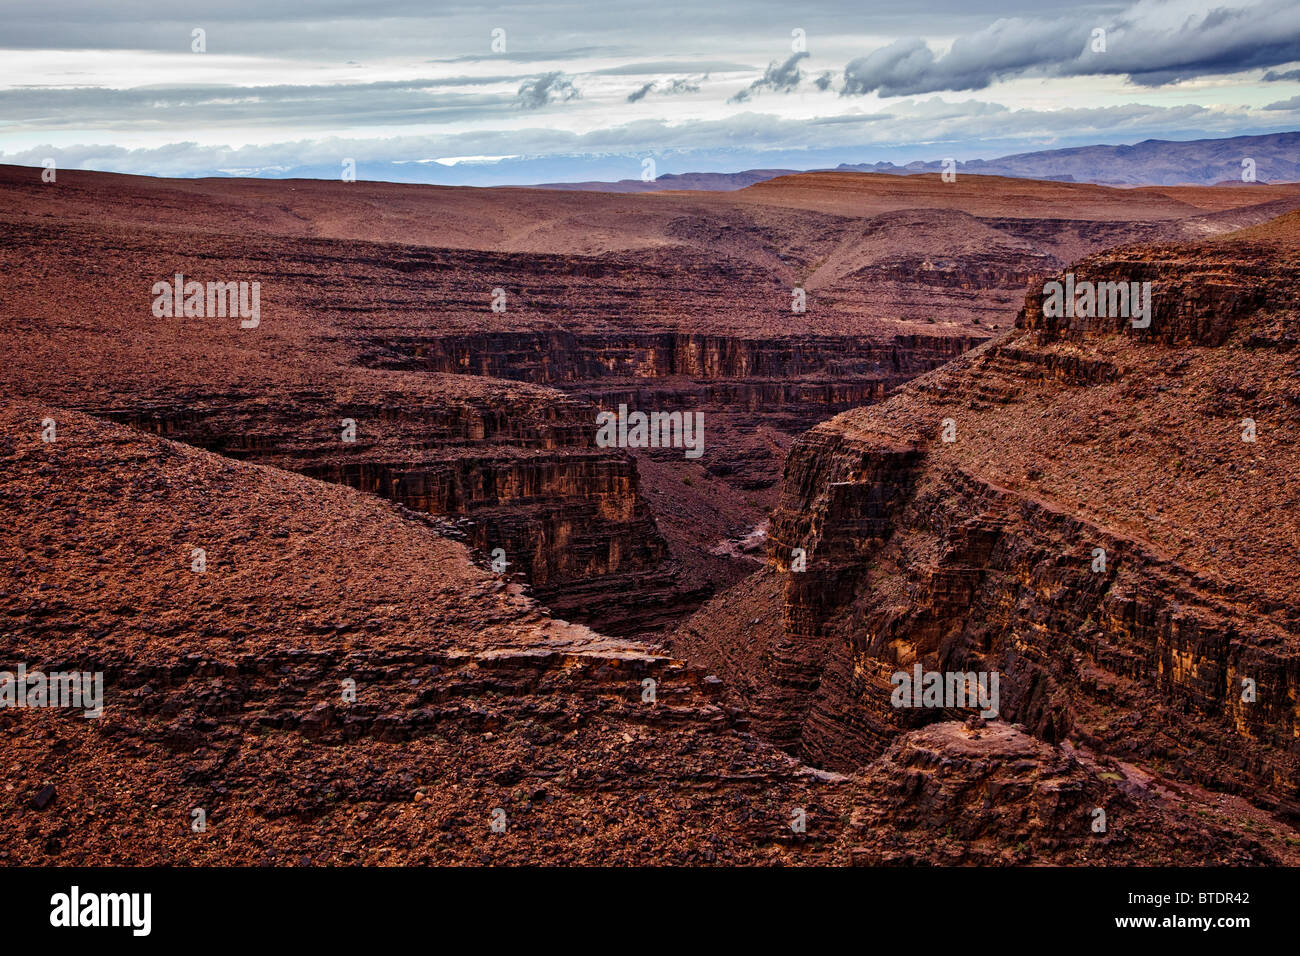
point(535, 492)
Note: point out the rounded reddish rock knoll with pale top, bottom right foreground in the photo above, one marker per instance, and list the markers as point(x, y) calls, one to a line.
point(959, 797)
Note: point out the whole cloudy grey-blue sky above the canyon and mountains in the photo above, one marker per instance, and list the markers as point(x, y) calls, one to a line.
point(515, 93)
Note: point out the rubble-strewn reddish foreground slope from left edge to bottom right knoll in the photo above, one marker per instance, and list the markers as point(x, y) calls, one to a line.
point(339, 685)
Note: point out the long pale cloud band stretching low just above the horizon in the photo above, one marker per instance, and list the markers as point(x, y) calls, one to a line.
point(933, 127)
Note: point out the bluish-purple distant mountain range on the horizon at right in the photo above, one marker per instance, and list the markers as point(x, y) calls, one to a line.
point(1276, 158)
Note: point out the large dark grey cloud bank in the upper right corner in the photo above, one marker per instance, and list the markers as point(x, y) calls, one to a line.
point(1152, 44)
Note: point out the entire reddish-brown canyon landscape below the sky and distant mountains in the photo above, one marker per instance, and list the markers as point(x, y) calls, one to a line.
point(566, 652)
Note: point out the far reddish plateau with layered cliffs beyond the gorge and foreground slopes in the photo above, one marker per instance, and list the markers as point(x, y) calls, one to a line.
point(380, 306)
